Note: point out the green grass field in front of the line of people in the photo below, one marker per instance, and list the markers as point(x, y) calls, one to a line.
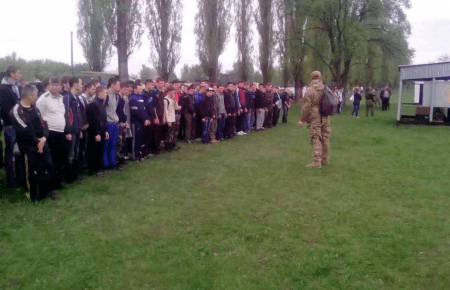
point(247, 214)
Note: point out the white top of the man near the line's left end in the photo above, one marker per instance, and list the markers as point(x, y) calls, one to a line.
point(52, 110)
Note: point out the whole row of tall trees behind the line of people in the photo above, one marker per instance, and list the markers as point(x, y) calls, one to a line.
point(350, 41)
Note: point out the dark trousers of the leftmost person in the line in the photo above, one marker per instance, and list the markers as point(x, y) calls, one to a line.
point(14, 161)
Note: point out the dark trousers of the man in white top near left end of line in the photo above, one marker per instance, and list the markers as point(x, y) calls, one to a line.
point(59, 149)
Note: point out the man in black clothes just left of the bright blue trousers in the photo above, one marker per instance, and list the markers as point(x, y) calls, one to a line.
point(98, 129)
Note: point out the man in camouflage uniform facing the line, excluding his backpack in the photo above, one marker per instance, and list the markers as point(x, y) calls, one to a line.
point(319, 126)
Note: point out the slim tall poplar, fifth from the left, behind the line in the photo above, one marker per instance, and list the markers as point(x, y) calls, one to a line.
point(244, 37)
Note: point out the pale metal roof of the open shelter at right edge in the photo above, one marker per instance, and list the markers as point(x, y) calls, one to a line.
point(425, 71)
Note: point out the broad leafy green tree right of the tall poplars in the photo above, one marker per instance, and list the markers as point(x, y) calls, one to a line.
point(349, 24)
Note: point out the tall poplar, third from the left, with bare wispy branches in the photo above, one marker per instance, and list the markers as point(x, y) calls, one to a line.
point(164, 23)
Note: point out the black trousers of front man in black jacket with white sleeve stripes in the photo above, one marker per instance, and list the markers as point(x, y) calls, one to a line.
point(38, 189)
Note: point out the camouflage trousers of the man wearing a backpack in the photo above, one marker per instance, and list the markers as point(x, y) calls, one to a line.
point(320, 131)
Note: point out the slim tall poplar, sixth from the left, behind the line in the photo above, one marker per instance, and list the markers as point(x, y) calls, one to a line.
point(264, 23)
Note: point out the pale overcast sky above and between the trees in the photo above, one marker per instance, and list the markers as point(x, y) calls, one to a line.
point(41, 30)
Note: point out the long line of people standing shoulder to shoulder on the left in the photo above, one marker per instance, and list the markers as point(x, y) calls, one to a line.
point(70, 127)
